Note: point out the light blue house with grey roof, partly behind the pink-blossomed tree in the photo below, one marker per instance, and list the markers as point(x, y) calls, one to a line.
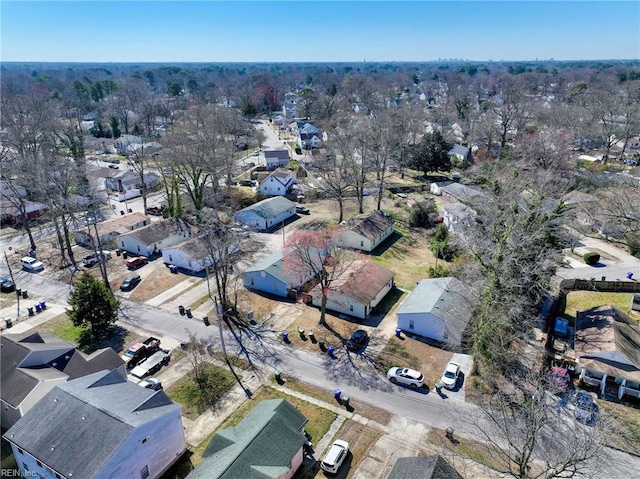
point(269, 275)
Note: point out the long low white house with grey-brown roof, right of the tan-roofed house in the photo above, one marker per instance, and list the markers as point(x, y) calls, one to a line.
point(152, 239)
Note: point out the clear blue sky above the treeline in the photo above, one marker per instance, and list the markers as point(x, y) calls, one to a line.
point(308, 31)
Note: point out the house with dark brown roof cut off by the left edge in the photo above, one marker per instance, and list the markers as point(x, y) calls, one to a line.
point(34, 363)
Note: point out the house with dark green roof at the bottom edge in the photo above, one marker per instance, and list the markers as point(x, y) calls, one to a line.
point(267, 444)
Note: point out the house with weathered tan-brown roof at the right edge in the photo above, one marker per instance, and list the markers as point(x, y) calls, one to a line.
point(607, 349)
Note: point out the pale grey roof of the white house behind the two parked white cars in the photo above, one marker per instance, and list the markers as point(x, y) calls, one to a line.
point(445, 298)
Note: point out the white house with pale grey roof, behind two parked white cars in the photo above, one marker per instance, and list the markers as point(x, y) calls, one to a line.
point(438, 308)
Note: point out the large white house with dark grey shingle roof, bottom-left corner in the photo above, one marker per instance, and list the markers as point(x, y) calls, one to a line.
point(99, 426)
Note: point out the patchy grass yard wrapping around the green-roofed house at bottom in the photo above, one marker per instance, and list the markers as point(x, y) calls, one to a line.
point(320, 419)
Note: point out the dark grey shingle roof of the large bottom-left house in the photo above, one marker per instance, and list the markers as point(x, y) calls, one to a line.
point(61, 431)
